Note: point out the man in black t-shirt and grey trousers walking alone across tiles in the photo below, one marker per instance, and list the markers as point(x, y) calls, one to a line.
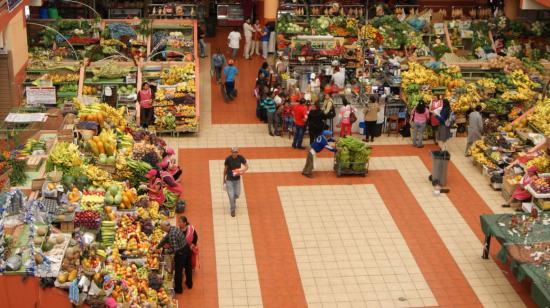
point(235, 165)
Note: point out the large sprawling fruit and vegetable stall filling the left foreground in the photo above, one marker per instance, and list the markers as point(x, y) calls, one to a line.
point(93, 189)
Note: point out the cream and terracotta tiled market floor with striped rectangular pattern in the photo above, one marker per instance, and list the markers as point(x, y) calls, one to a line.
point(380, 241)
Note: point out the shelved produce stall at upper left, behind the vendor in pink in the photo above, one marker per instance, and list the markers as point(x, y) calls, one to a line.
point(112, 65)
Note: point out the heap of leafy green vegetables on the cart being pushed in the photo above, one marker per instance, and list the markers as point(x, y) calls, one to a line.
point(352, 153)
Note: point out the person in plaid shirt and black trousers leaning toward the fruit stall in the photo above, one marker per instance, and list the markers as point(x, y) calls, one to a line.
point(174, 242)
